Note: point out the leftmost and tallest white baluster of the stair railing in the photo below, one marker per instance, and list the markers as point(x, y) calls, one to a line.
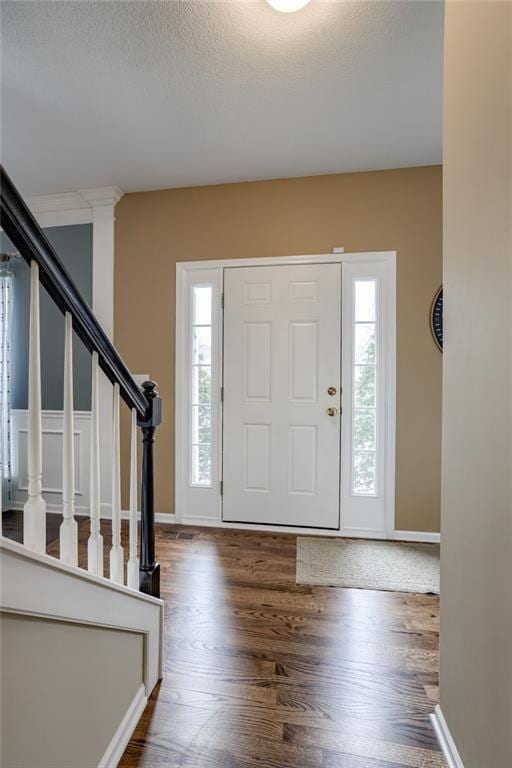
point(34, 511)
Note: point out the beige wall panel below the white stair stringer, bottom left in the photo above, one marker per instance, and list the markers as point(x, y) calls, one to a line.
point(65, 689)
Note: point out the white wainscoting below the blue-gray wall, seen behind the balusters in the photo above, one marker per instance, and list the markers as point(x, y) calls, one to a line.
point(53, 429)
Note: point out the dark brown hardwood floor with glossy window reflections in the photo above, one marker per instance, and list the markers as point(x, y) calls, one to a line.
point(262, 673)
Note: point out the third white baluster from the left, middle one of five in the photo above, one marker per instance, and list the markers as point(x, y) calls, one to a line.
point(95, 542)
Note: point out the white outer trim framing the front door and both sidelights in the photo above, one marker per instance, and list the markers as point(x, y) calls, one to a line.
point(184, 272)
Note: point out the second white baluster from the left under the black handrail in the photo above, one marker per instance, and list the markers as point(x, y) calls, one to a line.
point(69, 527)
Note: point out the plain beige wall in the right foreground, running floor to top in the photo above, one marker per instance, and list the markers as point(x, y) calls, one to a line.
point(476, 527)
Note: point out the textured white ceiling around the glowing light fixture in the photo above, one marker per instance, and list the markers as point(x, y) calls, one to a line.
point(149, 95)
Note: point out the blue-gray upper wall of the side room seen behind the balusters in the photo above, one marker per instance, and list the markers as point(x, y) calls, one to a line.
point(73, 245)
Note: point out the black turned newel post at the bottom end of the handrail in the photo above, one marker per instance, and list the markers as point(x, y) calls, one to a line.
point(149, 568)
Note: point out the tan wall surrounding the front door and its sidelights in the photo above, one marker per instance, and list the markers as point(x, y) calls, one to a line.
point(387, 210)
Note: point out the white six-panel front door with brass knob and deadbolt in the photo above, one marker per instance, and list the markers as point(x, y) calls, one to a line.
point(281, 425)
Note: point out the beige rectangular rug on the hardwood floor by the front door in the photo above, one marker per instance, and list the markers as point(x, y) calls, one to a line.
point(388, 565)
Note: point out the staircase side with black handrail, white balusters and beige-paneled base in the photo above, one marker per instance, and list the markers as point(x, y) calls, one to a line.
point(81, 646)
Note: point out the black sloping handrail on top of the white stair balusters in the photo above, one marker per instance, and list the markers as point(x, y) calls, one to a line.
point(23, 230)
